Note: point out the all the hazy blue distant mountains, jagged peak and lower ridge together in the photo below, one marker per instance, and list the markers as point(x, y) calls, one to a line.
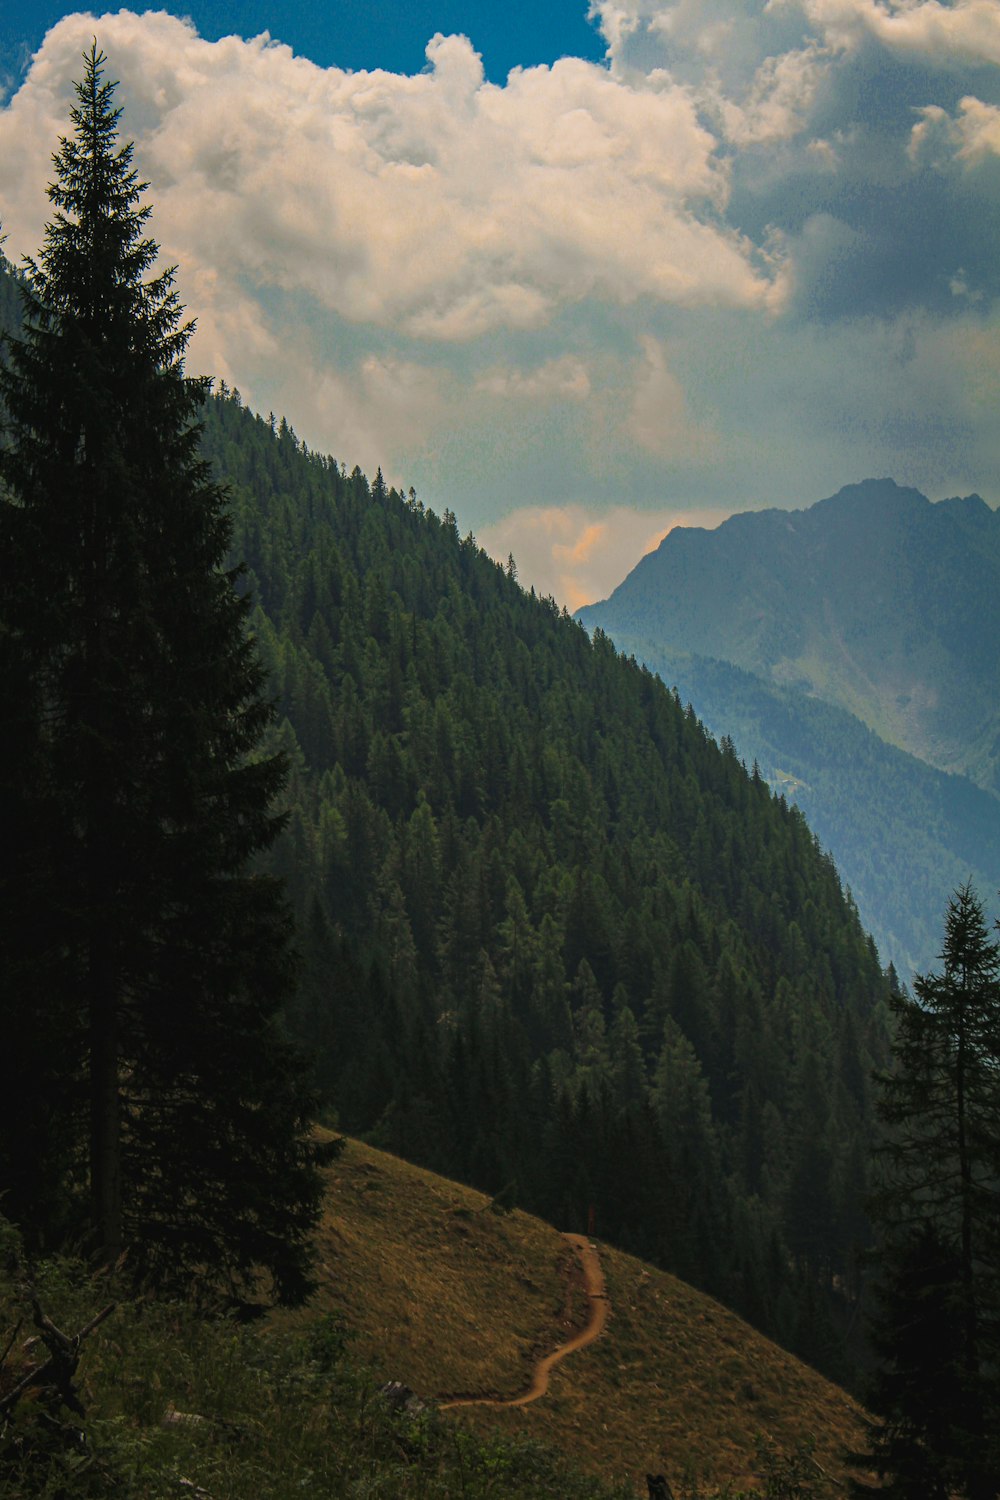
point(852, 649)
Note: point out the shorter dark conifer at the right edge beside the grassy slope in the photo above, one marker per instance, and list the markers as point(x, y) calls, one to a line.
point(938, 1216)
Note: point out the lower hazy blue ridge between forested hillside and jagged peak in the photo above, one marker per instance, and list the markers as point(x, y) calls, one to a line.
point(903, 835)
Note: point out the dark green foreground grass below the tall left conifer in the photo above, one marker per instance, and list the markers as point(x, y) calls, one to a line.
point(179, 1405)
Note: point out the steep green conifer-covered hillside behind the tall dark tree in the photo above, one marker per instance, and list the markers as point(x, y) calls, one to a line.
point(555, 941)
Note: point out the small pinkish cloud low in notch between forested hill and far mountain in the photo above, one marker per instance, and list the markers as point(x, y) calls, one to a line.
point(578, 554)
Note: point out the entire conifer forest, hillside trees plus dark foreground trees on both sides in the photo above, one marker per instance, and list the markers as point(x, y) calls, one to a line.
point(313, 812)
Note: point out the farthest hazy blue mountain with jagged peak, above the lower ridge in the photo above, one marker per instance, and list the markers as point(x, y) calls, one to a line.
point(875, 599)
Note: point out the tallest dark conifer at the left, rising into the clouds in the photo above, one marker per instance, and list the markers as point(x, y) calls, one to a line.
point(149, 1097)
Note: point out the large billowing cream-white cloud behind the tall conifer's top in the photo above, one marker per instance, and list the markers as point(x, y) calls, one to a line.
point(439, 205)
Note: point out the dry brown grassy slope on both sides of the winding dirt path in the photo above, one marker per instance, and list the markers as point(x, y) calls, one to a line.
point(451, 1298)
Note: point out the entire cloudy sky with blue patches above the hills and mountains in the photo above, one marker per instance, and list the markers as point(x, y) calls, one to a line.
point(576, 274)
